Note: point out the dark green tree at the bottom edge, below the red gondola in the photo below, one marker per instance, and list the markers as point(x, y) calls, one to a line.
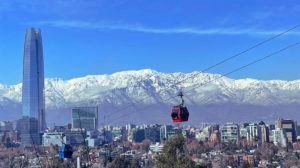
point(173, 155)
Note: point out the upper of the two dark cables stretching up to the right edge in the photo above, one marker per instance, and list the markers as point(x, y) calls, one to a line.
point(209, 68)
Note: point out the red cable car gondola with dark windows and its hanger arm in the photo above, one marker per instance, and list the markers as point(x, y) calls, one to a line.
point(180, 113)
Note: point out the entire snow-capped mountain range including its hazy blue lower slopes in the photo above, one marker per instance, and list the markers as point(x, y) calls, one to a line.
point(138, 92)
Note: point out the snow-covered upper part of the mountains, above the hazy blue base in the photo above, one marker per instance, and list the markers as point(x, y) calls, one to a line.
point(147, 87)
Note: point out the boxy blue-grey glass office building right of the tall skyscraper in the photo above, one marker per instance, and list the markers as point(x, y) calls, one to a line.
point(85, 117)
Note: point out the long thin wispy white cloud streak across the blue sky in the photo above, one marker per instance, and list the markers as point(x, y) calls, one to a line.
point(178, 30)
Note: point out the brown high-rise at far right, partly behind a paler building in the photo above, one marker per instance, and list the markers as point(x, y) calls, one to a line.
point(289, 127)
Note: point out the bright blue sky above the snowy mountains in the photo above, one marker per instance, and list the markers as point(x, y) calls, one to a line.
point(83, 37)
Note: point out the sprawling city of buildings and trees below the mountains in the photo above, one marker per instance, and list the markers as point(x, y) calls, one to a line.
point(208, 145)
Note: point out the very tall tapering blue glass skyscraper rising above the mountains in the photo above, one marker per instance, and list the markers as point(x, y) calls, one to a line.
point(33, 92)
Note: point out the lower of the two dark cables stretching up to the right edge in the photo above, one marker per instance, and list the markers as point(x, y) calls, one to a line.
point(219, 77)
